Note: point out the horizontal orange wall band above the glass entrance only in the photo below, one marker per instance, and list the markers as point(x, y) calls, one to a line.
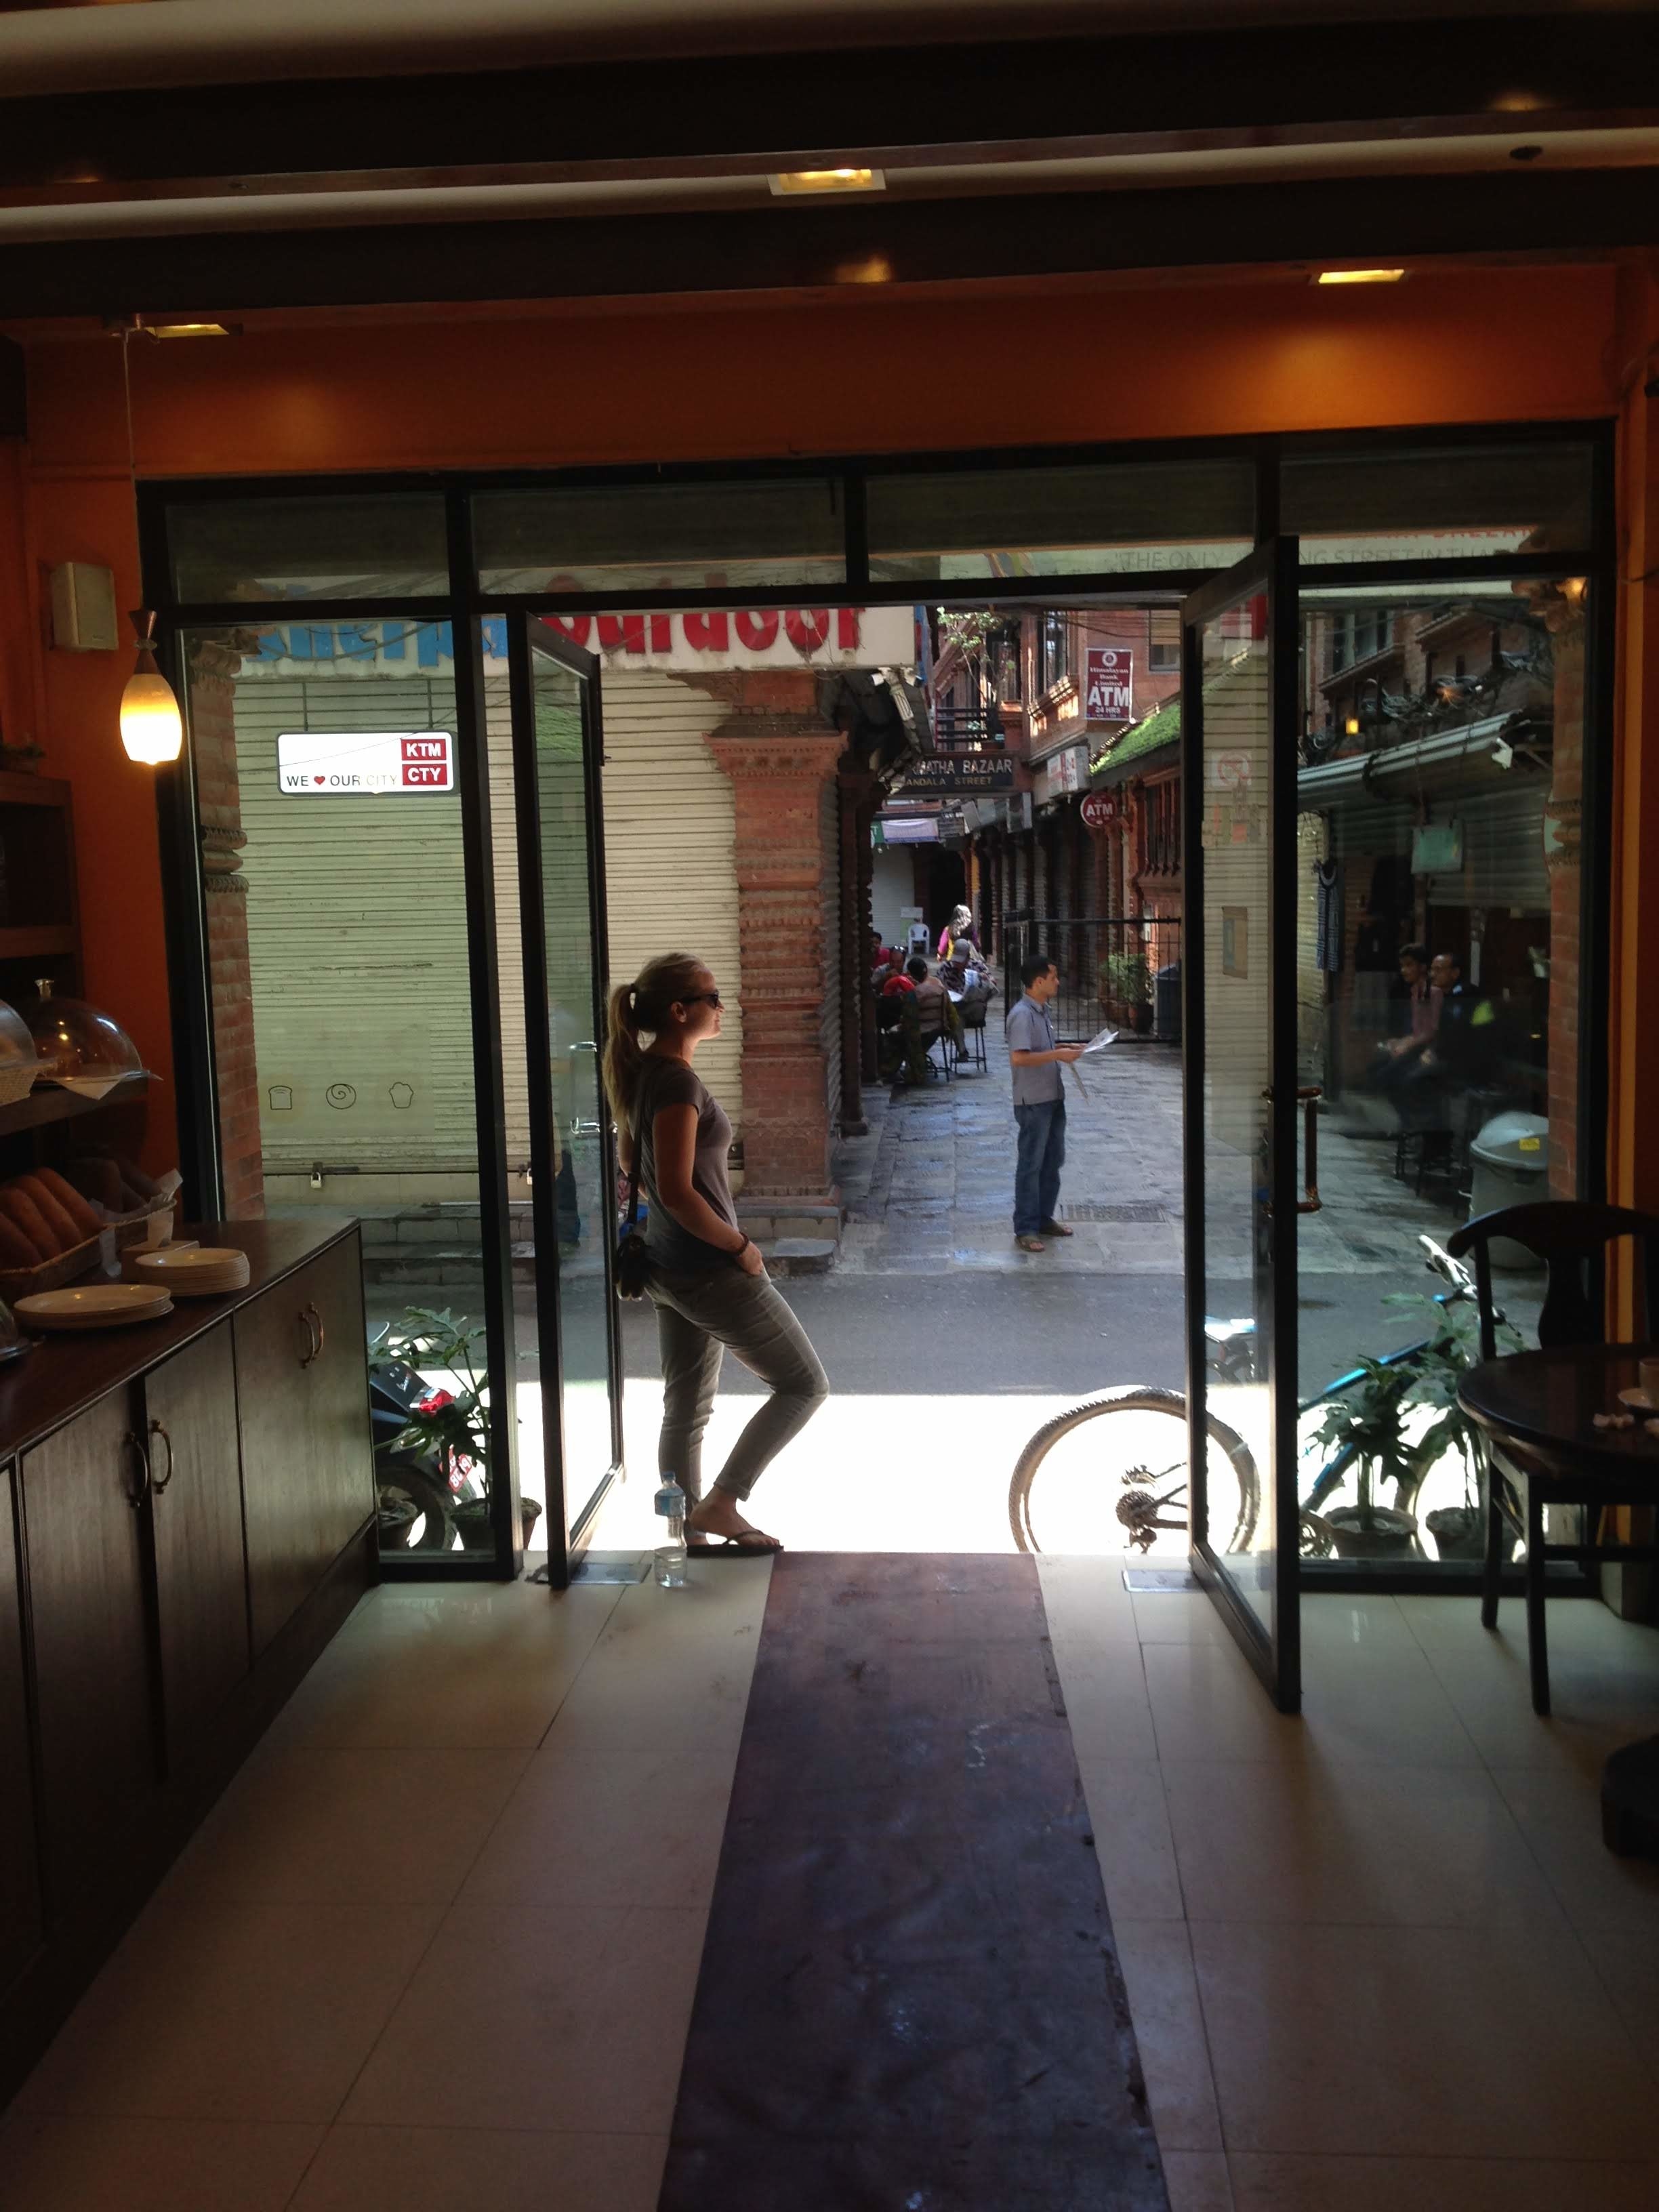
point(842, 375)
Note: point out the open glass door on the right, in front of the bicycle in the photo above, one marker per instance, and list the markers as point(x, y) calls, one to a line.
point(1242, 1116)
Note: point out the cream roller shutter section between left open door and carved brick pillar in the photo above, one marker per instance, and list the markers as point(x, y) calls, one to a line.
point(669, 831)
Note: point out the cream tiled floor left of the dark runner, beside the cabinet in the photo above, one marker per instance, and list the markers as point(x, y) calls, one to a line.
point(437, 1945)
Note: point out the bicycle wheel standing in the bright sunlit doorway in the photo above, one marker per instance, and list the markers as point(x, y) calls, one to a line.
point(1087, 1483)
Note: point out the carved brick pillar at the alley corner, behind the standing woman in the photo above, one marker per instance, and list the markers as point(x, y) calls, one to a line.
point(789, 930)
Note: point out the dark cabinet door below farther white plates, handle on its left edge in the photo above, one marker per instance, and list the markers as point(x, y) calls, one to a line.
point(196, 1521)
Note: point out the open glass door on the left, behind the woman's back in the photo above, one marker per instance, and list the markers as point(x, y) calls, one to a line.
point(563, 1291)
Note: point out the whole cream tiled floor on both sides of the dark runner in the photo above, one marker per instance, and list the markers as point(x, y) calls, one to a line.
point(439, 1943)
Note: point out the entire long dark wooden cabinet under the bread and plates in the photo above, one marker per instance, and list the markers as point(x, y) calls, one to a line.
point(156, 1488)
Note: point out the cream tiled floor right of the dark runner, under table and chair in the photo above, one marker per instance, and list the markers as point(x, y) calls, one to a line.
point(1379, 1954)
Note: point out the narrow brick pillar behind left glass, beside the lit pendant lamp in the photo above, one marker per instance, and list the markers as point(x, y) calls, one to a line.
point(216, 667)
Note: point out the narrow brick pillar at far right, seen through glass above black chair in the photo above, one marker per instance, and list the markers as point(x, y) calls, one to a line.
point(1563, 837)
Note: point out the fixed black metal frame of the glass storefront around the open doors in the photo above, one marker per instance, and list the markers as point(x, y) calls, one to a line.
point(466, 607)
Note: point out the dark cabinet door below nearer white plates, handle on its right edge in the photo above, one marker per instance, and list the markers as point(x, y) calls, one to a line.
point(92, 1638)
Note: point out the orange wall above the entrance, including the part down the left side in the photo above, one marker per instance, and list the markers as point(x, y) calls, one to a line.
point(844, 373)
